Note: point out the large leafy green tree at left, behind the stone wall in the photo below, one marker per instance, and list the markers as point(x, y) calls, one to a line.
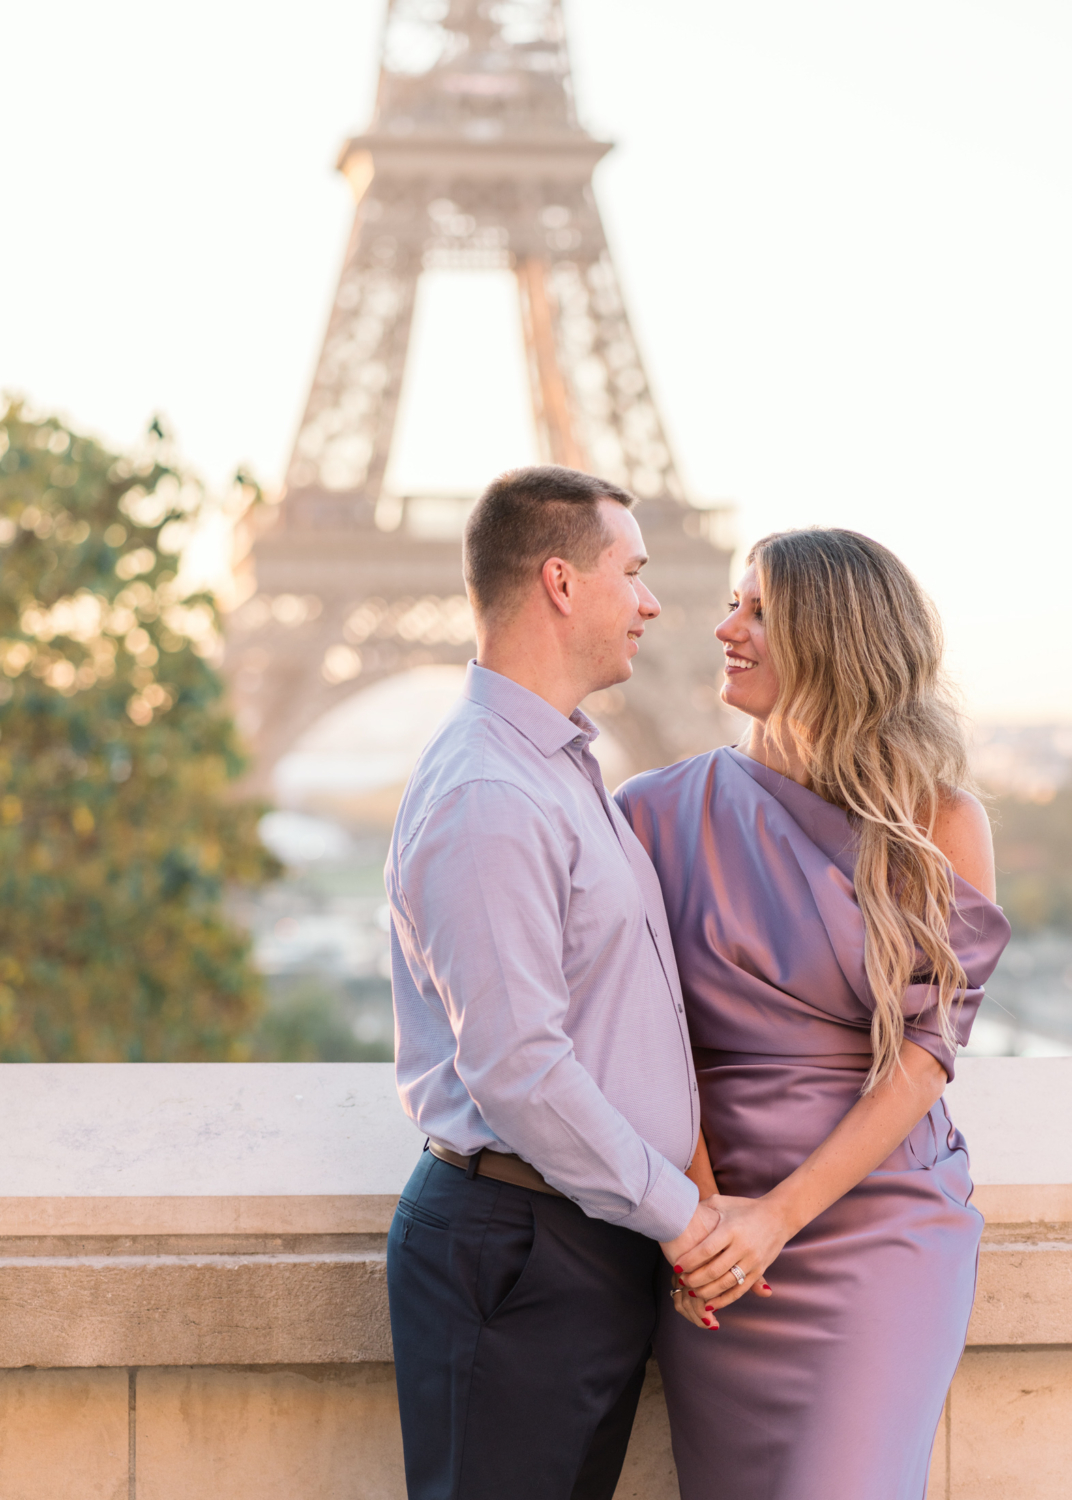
point(118, 830)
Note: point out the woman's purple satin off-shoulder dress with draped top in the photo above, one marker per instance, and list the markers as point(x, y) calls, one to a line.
point(831, 1390)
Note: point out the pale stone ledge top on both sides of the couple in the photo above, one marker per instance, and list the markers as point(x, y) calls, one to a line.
point(292, 1148)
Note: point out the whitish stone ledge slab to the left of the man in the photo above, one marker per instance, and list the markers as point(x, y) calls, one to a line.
point(203, 1130)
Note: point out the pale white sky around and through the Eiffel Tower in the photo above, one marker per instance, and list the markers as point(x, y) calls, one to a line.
point(845, 235)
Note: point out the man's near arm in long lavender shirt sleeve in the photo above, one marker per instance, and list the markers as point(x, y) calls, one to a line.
point(484, 895)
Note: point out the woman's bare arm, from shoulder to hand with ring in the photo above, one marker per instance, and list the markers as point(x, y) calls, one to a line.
point(756, 1229)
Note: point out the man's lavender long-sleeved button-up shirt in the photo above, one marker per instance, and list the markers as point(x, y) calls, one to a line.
point(536, 994)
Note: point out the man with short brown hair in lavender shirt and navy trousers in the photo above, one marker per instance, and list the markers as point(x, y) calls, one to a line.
point(542, 1042)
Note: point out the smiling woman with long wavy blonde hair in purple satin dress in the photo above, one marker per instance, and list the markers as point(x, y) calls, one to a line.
point(830, 889)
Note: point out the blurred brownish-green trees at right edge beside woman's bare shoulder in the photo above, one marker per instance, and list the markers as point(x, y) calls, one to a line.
point(1034, 851)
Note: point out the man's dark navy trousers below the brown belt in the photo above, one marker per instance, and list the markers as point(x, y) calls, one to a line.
point(523, 1330)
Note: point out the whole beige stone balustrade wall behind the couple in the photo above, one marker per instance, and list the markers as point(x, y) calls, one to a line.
point(194, 1306)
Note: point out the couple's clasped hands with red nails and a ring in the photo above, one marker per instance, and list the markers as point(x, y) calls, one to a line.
point(747, 1234)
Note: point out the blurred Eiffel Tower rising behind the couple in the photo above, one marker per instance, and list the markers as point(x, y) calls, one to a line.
point(475, 160)
